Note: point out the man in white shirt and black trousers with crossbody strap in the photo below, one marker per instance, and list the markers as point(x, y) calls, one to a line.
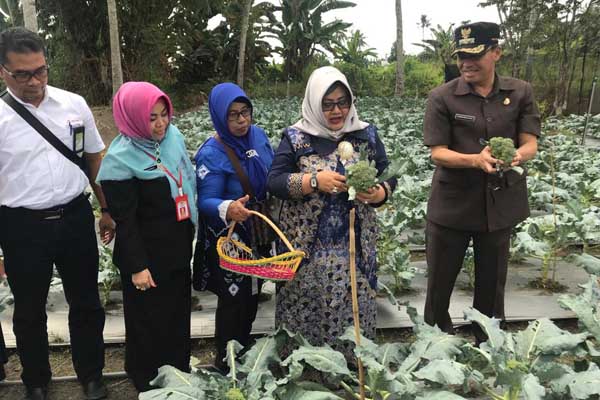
point(45, 217)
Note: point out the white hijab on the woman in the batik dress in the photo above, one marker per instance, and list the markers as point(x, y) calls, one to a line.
point(313, 119)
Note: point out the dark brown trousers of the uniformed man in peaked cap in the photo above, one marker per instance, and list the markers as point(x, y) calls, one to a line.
point(445, 251)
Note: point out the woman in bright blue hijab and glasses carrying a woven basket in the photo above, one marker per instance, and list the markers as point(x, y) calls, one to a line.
point(222, 199)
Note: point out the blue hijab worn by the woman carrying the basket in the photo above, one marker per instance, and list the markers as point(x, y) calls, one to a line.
point(220, 99)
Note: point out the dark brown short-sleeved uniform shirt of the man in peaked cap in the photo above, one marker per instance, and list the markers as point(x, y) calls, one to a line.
point(458, 117)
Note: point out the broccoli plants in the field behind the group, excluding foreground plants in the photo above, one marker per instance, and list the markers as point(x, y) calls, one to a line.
point(563, 180)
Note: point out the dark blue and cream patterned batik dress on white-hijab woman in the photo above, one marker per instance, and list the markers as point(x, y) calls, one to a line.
point(317, 303)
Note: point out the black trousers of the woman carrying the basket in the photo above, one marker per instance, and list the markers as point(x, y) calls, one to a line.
point(233, 321)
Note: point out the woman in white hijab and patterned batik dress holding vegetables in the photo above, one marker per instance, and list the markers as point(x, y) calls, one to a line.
point(308, 173)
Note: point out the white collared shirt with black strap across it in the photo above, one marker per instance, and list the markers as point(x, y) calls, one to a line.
point(33, 174)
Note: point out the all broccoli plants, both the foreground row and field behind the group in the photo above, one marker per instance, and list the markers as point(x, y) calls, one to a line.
point(541, 361)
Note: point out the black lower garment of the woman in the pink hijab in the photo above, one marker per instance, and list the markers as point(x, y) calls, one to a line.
point(157, 326)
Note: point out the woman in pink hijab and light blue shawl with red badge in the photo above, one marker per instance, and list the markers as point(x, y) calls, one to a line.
point(150, 185)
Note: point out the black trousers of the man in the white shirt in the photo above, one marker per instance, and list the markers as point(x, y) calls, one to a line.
point(31, 246)
